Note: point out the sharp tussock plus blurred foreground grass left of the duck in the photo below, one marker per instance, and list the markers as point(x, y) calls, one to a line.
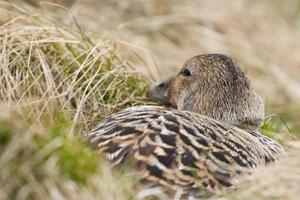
point(55, 84)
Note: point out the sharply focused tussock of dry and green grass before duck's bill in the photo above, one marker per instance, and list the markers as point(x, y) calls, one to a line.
point(44, 66)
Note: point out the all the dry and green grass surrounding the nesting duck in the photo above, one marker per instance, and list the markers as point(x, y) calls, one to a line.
point(66, 64)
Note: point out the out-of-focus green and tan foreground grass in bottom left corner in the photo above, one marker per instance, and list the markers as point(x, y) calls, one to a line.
point(50, 165)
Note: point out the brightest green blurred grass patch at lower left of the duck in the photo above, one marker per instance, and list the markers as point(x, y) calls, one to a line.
point(74, 159)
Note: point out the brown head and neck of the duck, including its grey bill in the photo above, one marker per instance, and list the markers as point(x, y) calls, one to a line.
point(215, 86)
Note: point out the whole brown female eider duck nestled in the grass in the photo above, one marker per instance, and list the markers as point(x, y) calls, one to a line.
point(208, 137)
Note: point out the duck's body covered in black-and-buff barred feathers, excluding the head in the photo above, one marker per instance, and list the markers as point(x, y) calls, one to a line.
point(182, 149)
